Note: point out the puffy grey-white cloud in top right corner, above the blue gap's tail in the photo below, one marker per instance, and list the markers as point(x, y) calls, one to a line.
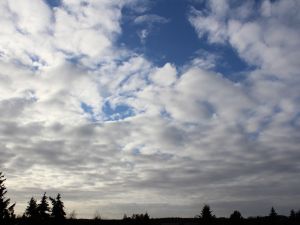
point(259, 42)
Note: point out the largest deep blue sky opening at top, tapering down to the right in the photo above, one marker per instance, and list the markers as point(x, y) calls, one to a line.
point(176, 41)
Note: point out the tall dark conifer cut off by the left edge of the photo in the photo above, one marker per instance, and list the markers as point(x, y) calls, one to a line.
point(6, 210)
